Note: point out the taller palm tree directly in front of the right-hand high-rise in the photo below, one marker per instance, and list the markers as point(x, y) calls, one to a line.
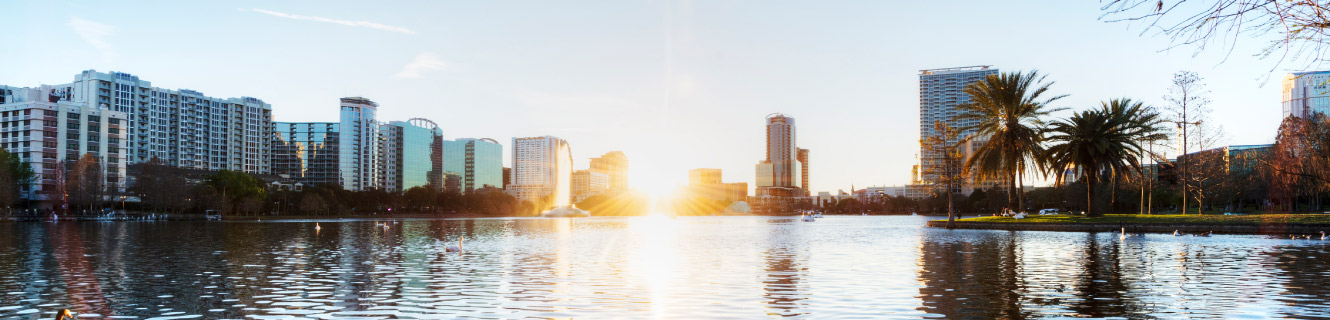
point(1006, 116)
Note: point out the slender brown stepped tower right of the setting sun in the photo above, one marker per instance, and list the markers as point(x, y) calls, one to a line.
point(781, 173)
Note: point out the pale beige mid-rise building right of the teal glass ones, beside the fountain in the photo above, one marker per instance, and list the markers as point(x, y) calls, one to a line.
point(542, 171)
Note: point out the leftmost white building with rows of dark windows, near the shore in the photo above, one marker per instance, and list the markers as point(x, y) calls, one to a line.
point(47, 131)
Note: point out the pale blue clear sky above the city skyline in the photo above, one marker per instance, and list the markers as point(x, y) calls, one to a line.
point(676, 86)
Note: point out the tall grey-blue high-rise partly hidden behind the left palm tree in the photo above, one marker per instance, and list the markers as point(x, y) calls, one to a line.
point(941, 91)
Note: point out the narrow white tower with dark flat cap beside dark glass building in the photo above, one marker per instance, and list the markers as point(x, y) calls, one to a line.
point(360, 144)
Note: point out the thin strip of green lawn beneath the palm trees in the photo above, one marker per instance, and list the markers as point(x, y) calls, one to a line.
point(1171, 220)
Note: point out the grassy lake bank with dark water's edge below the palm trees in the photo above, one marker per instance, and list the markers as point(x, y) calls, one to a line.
point(1271, 225)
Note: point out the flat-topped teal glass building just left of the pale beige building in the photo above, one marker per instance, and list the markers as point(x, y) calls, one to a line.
point(473, 164)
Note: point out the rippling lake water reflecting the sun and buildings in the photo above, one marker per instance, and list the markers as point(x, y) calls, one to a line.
point(706, 268)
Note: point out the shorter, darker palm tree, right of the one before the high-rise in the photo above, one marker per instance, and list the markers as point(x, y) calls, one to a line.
point(1102, 144)
